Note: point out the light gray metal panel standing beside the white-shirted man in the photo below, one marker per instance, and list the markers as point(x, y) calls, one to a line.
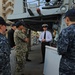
point(52, 59)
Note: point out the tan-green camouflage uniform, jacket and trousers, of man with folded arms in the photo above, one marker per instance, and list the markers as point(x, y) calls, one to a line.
point(21, 48)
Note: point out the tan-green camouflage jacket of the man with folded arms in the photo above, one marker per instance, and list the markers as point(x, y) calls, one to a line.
point(19, 37)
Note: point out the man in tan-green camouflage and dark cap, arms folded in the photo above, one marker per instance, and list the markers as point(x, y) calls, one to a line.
point(21, 42)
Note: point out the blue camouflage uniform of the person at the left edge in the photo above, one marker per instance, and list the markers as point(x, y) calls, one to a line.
point(4, 56)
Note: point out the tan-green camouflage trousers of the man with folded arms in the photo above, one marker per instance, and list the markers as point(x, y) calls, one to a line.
point(20, 62)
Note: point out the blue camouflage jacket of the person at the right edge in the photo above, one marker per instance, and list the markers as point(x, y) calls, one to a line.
point(66, 42)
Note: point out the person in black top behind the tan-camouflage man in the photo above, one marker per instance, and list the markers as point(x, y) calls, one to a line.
point(11, 35)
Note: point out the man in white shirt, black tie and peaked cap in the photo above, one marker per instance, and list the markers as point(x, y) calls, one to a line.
point(45, 38)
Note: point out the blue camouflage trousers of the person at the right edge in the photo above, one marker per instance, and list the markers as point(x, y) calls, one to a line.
point(67, 67)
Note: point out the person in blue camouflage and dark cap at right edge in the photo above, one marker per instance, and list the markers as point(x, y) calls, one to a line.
point(66, 45)
